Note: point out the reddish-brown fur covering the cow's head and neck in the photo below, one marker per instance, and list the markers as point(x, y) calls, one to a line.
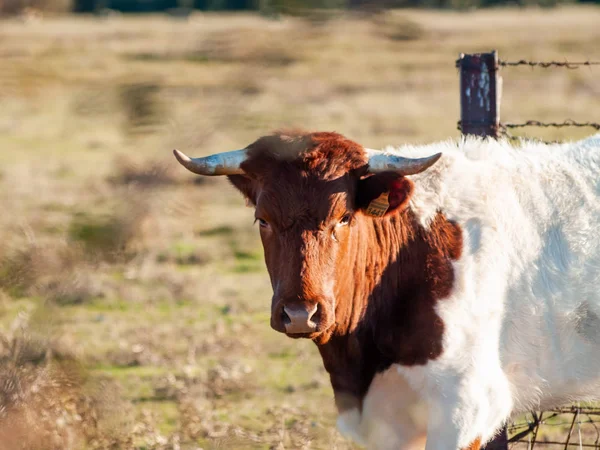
point(376, 281)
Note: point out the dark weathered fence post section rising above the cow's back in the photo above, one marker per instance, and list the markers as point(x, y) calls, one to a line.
point(480, 90)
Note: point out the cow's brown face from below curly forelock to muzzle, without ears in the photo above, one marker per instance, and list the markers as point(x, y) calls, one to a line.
point(305, 227)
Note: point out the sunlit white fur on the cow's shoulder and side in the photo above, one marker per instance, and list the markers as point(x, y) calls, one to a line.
point(522, 326)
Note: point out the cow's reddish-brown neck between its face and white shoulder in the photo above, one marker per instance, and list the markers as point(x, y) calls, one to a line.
point(386, 298)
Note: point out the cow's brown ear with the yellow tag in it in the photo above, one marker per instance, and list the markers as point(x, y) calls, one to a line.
point(383, 193)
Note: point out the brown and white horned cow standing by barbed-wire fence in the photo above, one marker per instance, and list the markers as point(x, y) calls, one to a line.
point(464, 273)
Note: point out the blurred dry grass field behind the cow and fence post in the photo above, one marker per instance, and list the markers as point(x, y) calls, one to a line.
point(134, 302)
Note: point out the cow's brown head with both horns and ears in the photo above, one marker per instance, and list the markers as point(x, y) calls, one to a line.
point(312, 193)
